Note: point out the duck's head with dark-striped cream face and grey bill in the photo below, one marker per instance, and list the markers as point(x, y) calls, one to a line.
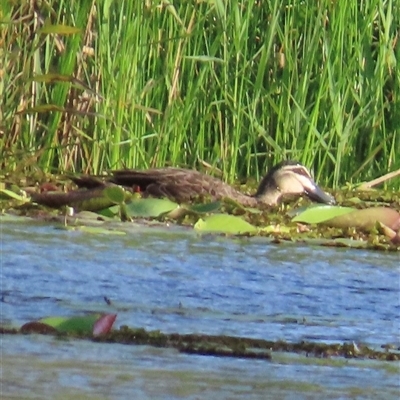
point(290, 178)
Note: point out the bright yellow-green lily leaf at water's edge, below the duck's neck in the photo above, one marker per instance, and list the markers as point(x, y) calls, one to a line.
point(224, 223)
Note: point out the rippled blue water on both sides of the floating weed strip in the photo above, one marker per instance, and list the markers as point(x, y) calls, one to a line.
point(176, 281)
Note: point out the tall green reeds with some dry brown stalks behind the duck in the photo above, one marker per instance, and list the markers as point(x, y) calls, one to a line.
point(231, 86)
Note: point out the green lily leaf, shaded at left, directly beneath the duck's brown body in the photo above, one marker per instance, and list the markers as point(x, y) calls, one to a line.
point(150, 208)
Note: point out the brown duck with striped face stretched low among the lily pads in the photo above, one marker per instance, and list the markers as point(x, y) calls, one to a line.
point(287, 178)
